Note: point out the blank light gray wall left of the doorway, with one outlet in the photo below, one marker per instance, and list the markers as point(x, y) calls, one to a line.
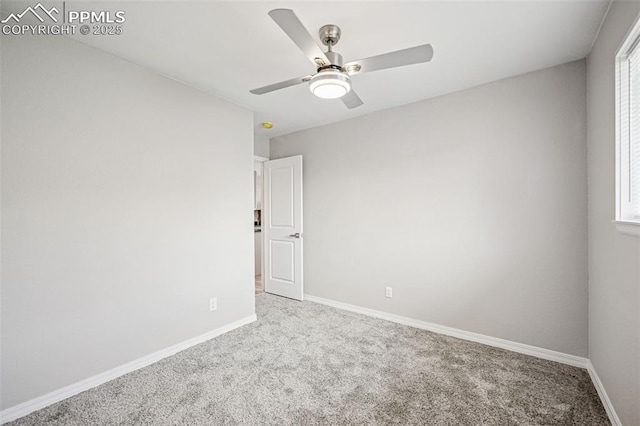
point(126, 205)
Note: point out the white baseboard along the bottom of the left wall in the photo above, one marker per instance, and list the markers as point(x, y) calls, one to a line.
point(40, 402)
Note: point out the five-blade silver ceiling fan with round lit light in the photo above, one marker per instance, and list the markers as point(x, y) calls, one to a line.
point(332, 79)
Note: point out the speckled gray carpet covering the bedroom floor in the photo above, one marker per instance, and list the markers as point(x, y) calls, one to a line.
point(309, 364)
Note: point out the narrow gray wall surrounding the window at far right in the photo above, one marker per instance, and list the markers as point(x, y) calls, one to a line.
point(614, 259)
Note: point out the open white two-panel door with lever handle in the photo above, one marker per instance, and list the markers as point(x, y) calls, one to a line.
point(282, 227)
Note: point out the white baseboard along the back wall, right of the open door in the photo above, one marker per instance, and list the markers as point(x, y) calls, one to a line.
point(547, 354)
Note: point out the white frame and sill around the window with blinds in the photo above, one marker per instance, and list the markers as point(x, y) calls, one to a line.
point(623, 223)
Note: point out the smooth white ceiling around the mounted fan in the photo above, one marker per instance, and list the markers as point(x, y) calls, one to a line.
point(228, 48)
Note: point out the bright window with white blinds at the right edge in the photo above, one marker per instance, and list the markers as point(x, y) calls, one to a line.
point(628, 134)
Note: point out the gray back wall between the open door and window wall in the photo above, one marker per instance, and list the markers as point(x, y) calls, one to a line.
point(472, 206)
